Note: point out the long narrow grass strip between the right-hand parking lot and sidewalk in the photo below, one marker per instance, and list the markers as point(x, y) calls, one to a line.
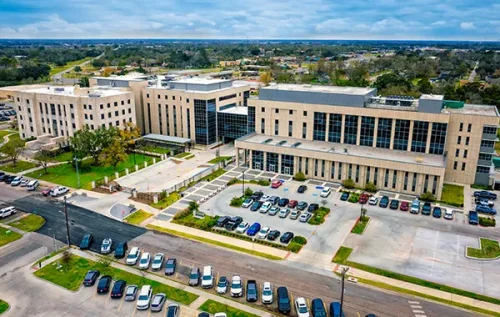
point(344, 252)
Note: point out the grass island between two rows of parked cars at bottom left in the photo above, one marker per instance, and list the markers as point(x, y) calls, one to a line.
point(71, 274)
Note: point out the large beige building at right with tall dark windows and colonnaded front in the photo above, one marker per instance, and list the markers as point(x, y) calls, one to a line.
point(398, 143)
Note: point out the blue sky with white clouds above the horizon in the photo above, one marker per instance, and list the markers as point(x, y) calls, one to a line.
point(252, 19)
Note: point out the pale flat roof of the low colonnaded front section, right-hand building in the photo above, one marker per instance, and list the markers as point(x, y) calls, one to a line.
point(352, 150)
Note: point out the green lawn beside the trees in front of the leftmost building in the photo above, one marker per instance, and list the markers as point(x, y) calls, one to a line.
point(65, 174)
